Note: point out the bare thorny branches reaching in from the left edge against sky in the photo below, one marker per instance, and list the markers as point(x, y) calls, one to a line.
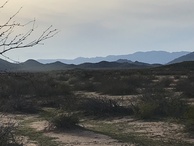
point(10, 41)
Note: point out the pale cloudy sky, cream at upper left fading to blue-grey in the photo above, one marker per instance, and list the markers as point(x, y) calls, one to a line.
point(90, 28)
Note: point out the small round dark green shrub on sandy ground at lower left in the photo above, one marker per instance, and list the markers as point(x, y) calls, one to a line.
point(63, 121)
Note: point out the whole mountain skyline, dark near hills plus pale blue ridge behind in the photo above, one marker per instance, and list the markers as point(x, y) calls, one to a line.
point(119, 62)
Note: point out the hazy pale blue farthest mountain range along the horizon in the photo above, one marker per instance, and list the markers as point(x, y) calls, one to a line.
point(151, 57)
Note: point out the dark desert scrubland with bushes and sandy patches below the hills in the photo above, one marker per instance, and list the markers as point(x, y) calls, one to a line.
point(135, 107)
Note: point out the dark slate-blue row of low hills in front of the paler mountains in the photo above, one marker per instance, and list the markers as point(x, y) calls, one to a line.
point(35, 66)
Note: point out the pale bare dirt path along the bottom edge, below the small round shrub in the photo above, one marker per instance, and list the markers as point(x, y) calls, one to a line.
point(77, 137)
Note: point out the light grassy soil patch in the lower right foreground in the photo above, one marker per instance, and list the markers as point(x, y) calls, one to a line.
point(159, 130)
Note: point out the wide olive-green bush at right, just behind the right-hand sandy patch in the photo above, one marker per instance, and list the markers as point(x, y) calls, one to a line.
point(161, 104)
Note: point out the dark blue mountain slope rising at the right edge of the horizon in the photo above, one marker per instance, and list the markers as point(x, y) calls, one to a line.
point(188, 57)
